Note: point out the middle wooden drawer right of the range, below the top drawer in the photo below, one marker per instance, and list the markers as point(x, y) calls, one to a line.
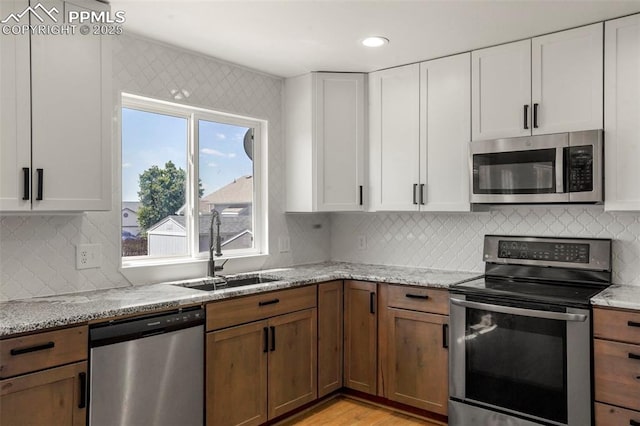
point(617, 373)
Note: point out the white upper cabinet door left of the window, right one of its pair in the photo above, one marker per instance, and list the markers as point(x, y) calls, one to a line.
point(71, 118)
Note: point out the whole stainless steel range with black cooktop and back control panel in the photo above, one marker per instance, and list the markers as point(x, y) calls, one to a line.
point(520, 349)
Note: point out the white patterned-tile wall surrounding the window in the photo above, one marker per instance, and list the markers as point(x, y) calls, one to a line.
point(37, 253)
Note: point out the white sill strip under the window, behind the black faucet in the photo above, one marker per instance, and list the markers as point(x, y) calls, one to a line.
point(148, 271)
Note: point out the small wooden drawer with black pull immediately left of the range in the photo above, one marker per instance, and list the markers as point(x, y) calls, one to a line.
point(418, 299)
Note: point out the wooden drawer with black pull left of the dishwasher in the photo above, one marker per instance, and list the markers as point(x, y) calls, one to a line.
point(42, 350)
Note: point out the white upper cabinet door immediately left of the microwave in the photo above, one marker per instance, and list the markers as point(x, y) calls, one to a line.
point(445, 122)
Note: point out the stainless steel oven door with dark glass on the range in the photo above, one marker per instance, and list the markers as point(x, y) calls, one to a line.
point(528, 362)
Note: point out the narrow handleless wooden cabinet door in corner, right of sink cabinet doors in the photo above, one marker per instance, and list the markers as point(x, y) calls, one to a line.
point(330, 314)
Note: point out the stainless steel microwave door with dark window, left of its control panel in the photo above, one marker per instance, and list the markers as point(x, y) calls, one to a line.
point(519, 170)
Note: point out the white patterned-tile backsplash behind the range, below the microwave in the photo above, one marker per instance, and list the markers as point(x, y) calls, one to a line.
point(454, 241)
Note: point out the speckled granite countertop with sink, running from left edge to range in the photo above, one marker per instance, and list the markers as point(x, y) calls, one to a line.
point(44, 312)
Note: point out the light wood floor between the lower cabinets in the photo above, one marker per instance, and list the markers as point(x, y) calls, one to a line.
point(343, 411)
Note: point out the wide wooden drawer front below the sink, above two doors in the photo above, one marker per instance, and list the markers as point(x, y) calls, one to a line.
point(252, 308)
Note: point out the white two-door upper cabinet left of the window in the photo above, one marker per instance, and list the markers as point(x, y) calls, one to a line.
point(70, 117)
